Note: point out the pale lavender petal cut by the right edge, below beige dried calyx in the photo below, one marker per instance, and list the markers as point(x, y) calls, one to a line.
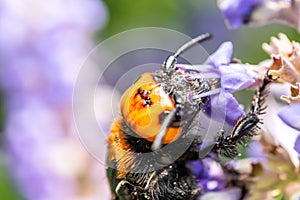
point(291, 115)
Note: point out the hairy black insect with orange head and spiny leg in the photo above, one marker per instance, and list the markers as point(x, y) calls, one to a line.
point(157, 111)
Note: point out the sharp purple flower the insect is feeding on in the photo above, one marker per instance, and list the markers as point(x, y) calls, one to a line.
point(233, 77)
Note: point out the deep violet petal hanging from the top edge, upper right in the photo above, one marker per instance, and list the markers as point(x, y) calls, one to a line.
point(237, 12)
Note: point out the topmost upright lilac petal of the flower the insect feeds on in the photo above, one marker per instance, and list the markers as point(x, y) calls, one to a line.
point(222, 56)
